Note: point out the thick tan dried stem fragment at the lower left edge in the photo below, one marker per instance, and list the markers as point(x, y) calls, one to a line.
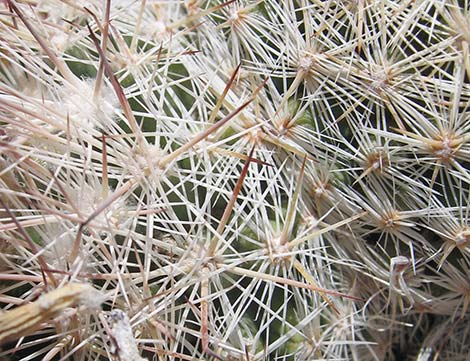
point(26, 319)
